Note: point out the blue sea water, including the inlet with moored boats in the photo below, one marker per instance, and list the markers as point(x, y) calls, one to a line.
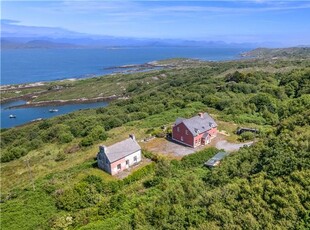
point(19, 66)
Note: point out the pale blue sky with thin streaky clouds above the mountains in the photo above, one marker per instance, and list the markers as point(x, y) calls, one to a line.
point(287, 22)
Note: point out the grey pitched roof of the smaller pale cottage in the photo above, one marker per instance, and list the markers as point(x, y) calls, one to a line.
point(122, 149)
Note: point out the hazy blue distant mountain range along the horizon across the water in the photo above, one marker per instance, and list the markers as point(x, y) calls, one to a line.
point(14, 36)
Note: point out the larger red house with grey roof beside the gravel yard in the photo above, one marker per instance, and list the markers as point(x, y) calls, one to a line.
point(195, 131)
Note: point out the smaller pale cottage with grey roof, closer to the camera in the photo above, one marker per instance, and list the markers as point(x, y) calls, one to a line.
point(120, 156)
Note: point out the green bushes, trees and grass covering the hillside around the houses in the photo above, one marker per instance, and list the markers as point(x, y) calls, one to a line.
point(265, 186)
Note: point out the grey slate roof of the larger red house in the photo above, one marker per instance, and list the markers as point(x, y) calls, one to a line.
point(198, 124)
